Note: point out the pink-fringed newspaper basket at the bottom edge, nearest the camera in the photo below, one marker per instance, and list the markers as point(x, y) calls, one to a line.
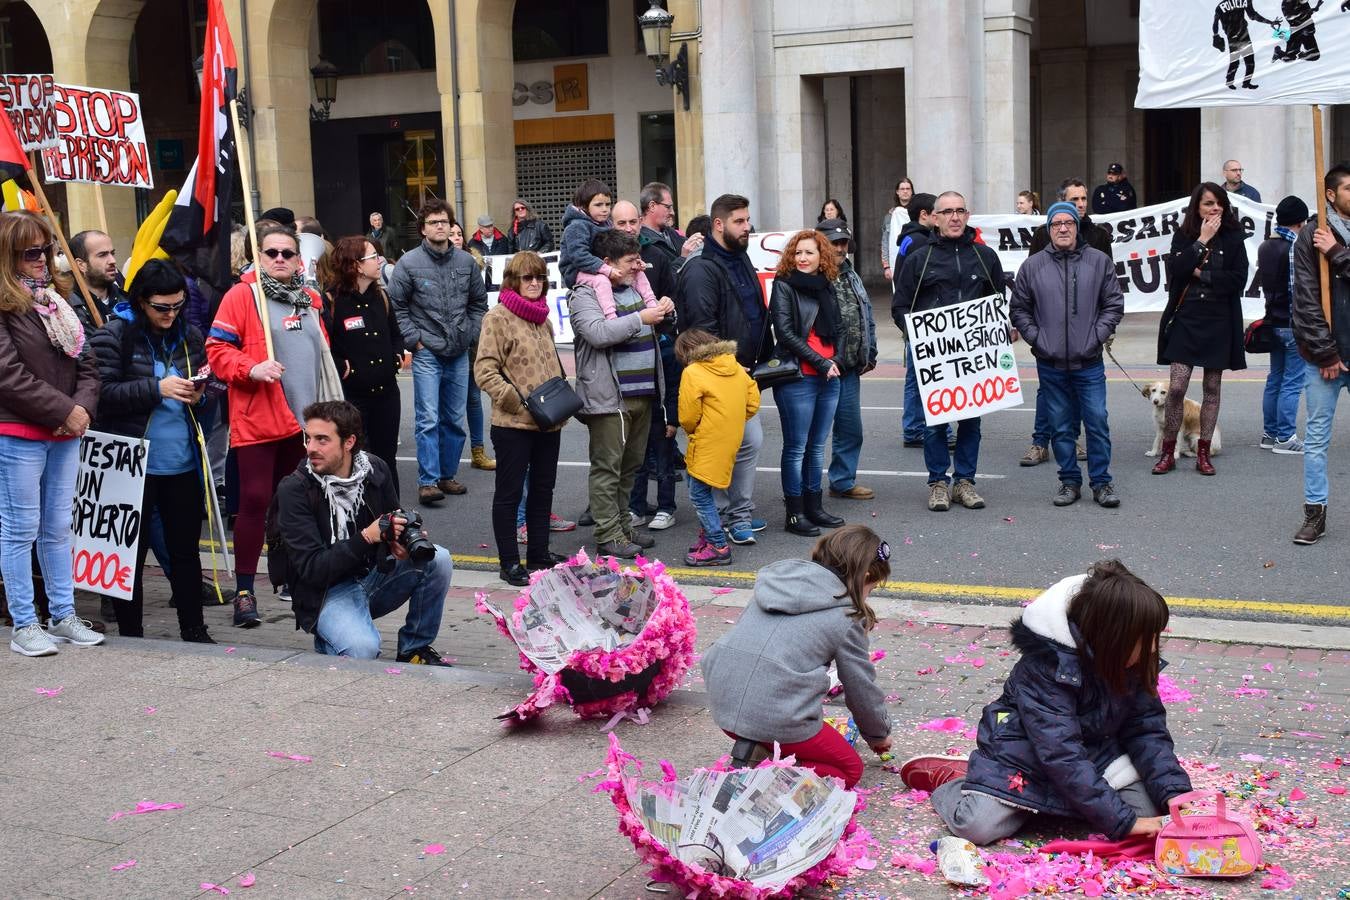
point(745, 835)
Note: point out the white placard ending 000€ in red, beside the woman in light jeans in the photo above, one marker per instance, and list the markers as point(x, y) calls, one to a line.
point(106, 526)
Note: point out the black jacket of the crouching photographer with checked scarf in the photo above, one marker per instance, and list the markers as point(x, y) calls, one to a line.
point(315, 562)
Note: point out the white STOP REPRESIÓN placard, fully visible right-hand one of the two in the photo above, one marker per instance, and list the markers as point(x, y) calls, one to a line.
point(101, 138)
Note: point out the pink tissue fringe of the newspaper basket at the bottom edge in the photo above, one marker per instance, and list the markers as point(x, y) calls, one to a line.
point(851, 852)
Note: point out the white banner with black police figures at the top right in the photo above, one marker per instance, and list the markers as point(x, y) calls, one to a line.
point(1240, 53)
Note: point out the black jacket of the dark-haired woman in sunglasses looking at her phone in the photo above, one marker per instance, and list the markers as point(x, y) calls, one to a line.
point(126, 354)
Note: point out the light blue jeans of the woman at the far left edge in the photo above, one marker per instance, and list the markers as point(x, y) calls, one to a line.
point(37, 489)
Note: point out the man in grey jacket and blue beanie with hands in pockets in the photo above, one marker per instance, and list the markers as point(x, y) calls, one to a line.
point(1066, 304)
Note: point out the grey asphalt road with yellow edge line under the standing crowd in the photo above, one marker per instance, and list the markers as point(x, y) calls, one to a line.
point(1214, 546)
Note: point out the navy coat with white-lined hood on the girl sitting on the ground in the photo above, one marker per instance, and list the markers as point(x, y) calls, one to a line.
point(1048, 741)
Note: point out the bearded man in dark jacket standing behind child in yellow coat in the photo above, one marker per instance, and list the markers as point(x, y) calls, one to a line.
point(720, 293)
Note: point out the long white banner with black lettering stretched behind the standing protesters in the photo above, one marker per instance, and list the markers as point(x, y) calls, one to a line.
point(1141, 244)
